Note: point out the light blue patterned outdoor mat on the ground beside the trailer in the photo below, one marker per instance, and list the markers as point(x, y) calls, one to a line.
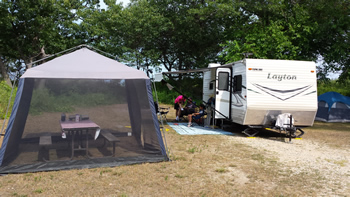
point(182, 129)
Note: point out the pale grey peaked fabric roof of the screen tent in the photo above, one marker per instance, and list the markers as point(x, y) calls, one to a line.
point(84, 64)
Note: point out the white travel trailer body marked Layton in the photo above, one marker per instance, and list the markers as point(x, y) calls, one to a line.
point(256, 91)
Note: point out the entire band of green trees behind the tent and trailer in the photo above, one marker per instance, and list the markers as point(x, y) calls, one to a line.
point(179, 34)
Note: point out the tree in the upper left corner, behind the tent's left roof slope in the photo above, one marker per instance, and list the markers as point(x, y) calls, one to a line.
point(30, 30)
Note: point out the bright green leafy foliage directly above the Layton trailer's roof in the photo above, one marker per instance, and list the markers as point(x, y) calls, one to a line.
point(276, 31)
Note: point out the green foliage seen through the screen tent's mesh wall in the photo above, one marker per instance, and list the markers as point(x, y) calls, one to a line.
point(64, 96)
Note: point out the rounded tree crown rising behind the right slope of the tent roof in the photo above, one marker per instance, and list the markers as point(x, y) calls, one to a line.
point(133, 32)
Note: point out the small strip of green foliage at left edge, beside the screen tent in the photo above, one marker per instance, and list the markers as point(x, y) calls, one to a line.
point(5, 94)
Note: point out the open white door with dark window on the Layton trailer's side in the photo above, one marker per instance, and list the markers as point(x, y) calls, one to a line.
point(222, 99)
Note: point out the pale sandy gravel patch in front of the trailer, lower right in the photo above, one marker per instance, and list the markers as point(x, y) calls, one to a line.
point(332, 165)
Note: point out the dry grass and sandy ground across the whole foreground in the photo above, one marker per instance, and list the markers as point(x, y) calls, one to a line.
point(212, 165)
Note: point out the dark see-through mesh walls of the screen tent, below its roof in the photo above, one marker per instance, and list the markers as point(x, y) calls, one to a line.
point(123, 108)
